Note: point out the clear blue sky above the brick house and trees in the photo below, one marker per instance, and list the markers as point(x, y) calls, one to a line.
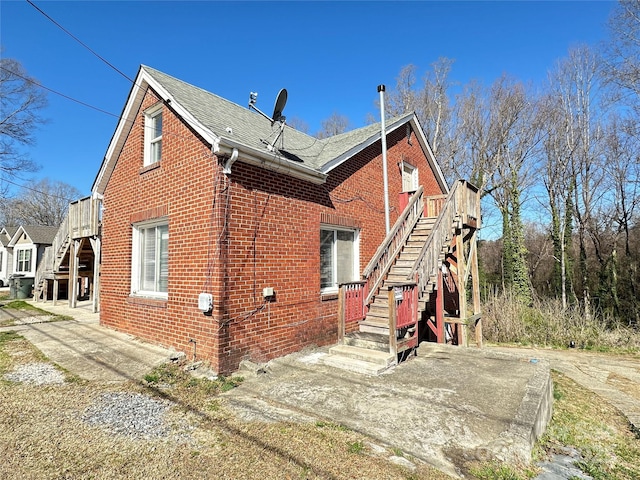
point(330, 56)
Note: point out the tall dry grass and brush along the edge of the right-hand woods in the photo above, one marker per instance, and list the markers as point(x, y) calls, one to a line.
point(505, 320)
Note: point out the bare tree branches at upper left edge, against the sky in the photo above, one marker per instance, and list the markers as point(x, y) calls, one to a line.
point(20, 103)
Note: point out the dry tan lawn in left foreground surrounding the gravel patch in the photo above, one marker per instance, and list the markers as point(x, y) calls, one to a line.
point(44, 435)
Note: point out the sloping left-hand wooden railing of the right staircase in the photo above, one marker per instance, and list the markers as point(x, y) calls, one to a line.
point(381, 262)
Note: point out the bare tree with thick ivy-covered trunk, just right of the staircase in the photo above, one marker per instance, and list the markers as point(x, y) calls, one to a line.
point(500, 134)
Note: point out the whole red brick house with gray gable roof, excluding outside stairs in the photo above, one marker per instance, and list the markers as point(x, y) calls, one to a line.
point(223, 243)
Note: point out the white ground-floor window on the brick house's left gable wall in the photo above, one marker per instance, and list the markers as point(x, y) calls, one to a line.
point(150, 259)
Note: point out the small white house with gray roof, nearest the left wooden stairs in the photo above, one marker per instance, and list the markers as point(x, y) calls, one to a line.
point(28, 244)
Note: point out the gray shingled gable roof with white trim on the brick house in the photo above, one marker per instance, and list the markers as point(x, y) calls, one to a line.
point(227, 126)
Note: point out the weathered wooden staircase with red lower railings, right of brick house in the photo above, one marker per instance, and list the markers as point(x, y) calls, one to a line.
point(425, 241)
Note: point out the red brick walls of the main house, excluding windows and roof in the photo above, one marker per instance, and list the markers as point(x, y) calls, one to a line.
point(234, 236)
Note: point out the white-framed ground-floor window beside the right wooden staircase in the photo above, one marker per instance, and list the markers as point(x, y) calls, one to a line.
point(339, 257)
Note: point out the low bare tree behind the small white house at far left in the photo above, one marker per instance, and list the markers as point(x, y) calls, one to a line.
point(39, 203)
